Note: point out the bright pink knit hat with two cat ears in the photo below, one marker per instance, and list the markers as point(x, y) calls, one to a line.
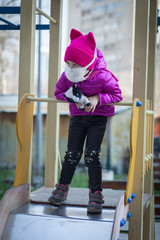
point(81, 49)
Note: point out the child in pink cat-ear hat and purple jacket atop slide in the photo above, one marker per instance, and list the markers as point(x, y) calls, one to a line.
point(85, 66)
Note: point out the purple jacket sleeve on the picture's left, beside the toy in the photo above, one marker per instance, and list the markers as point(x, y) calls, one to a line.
point(61, 88)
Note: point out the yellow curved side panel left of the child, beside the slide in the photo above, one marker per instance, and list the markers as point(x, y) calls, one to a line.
point(24, 123)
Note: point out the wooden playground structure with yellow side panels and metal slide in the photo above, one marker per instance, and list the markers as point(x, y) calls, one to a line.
point(31, 214)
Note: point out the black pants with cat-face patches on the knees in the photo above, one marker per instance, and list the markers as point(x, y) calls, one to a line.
point(91, 128)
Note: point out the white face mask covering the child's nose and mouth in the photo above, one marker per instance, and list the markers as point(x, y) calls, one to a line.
point(77, 74)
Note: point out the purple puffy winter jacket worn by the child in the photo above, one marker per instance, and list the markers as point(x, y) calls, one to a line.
point(100, 82)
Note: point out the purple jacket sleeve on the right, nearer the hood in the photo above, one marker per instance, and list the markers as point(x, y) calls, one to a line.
point(111, 91)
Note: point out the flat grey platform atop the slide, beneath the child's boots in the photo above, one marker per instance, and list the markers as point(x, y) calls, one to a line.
point(78, 197)
